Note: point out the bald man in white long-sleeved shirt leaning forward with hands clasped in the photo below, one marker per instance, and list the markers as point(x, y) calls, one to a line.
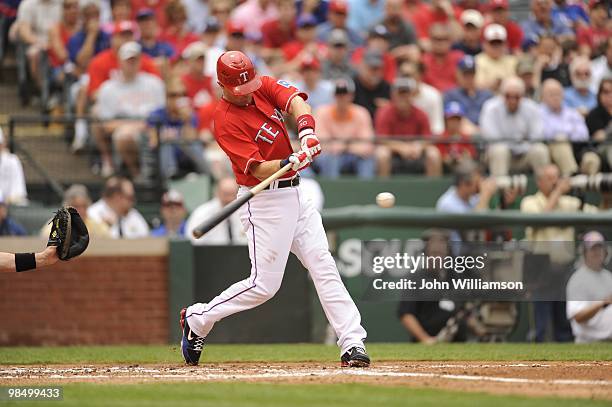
point(516, 120)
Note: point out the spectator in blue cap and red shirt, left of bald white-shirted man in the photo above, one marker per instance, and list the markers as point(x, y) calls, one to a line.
point(456, 146)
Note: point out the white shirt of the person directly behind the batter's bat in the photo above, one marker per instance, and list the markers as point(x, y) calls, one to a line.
point(219, 235)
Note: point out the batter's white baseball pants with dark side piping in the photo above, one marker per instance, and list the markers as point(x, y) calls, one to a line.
point(277, 221)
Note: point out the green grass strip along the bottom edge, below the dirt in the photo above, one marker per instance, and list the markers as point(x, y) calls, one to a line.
point(270, 395)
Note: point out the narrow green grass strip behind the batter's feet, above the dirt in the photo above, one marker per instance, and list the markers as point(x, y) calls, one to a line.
point(304, 352)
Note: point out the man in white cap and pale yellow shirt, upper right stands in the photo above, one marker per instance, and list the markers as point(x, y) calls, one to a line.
point(494, 64)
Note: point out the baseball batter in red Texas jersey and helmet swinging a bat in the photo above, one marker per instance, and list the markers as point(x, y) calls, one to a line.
point(249, 127)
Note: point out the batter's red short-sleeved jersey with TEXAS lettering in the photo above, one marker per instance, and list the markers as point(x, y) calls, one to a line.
point(257, 132)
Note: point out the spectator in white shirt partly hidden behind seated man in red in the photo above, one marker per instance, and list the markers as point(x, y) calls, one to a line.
point(427, 98)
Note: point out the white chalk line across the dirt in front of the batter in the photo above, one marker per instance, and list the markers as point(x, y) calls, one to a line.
point(276, 374)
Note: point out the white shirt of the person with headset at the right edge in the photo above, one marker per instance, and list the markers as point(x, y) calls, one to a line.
point(584, 288)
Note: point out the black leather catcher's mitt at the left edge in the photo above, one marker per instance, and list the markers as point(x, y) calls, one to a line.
point(68, 233)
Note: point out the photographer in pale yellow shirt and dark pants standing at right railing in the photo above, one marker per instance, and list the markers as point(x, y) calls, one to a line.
point(552, 197)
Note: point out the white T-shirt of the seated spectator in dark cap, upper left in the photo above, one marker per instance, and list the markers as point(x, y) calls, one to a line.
point(134, 99)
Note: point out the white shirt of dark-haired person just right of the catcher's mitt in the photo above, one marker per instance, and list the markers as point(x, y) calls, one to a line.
point(133, 225)
